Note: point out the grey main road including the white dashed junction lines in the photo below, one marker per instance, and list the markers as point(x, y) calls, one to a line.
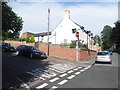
point(96, 76)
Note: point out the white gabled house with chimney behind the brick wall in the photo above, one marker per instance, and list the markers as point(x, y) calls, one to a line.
point(63, 32)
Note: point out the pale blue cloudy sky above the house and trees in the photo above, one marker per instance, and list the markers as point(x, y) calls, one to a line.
point(90, 14)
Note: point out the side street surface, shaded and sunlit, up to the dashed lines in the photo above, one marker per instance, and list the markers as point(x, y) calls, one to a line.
point(20, 71)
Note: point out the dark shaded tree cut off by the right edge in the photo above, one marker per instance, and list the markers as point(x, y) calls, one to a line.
point(115, 35)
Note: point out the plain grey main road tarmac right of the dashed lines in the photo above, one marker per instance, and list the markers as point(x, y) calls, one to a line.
point(98, 76)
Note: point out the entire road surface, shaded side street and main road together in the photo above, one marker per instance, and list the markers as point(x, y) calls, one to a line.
point(19, 71)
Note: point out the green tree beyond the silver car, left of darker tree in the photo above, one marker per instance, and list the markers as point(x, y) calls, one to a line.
point(105, 37)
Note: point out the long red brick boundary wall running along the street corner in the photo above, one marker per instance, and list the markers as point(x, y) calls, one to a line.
point(58, 51)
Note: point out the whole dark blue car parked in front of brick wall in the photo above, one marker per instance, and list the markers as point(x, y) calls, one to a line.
point(30, 51)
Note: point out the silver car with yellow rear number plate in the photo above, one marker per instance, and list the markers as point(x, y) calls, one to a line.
point(103, 56)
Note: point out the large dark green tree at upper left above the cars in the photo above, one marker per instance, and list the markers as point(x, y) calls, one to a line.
point(11, 23)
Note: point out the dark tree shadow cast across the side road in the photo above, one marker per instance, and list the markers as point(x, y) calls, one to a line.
point(20, 70)
